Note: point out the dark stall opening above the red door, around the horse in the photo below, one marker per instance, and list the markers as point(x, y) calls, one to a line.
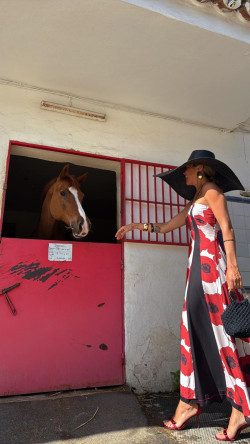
point(28, 176)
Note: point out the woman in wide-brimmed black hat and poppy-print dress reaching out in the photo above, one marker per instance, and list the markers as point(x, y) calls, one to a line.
point(214, 366)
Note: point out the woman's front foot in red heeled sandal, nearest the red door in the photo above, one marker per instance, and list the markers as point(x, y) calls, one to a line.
point(182, 414)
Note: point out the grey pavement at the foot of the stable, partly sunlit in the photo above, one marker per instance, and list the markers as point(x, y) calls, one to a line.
point(104, 416)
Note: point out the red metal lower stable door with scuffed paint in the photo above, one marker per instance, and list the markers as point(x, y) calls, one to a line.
point(68, 330)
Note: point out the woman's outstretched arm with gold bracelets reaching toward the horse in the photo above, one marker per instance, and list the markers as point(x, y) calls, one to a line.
point(178, 221)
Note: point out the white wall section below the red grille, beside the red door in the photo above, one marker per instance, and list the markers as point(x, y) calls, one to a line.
point(154, 292)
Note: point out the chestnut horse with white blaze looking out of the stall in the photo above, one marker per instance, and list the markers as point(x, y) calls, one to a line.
point(62, 207)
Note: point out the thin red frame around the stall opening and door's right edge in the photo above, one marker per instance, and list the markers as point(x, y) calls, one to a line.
point(76, 153)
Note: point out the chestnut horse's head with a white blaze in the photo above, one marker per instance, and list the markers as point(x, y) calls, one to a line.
point(66, 203)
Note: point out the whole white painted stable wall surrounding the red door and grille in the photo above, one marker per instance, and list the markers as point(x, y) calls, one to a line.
point(154, 274)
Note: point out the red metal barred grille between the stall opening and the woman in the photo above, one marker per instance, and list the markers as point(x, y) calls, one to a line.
point(149, 199)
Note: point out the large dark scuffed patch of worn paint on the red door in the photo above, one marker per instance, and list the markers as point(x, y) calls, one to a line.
point(34, 271)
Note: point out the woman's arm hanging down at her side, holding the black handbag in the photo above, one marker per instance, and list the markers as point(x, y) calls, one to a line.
point(218, 204)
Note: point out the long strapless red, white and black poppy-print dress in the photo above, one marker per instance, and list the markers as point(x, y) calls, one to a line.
point(214, 366)
